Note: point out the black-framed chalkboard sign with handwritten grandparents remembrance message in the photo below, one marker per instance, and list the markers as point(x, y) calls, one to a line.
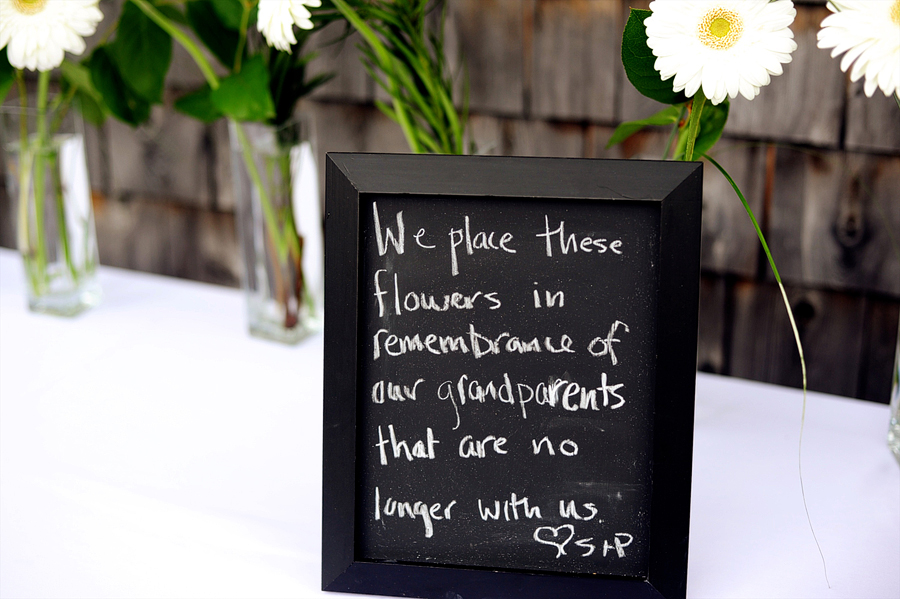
point(509, 375)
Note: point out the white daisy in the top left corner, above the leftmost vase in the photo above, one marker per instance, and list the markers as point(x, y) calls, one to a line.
point(38, 33)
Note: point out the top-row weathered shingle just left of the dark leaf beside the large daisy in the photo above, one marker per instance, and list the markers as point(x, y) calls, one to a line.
point(576, 56)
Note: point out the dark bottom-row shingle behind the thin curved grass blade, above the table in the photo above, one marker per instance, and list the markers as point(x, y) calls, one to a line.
point(831, 327)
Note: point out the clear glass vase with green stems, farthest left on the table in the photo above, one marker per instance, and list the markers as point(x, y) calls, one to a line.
point(47, 179)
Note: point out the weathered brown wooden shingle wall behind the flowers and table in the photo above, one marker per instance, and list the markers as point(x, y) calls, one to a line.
point(818, 161)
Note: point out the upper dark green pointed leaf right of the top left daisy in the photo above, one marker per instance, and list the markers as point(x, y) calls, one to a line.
point(142, 51)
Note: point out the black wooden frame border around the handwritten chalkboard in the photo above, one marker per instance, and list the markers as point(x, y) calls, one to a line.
point(673, 190)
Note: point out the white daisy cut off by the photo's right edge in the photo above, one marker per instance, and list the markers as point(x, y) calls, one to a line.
point(869, 32)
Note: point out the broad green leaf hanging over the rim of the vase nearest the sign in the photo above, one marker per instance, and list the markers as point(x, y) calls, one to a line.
point(245, 96)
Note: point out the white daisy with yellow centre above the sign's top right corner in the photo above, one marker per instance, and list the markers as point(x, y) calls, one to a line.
point(724, 46)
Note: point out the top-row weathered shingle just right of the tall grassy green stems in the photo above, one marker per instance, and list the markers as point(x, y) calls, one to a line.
point(490, 35)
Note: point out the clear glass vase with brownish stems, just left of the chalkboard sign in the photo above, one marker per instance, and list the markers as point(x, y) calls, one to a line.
point(279, 228)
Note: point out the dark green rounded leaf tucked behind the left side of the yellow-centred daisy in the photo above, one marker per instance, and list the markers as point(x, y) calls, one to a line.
point(638, 60)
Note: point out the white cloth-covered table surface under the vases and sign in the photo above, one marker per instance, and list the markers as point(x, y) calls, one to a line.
point(151, 448)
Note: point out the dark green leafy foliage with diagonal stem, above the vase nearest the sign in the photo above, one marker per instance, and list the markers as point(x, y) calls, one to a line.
point(262, 84)
